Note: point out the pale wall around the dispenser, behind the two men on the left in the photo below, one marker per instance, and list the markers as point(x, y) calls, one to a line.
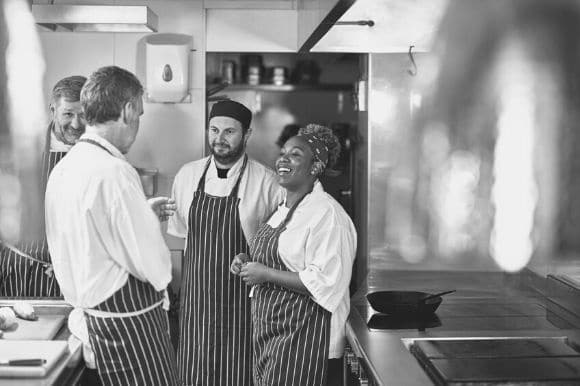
point(170, 134)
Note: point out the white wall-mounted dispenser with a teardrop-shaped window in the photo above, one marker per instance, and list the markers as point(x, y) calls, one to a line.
point(167, 68)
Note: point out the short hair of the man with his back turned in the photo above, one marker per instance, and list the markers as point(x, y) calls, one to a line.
point(107, 92)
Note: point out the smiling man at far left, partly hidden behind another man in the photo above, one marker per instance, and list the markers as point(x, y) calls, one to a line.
point(25, 269)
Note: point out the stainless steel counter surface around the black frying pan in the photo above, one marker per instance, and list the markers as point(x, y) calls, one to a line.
point(485, 305)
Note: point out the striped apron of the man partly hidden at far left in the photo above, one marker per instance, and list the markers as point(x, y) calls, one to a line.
point(21, 277)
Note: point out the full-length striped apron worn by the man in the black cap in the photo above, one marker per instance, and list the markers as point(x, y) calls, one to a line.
point(215, 345)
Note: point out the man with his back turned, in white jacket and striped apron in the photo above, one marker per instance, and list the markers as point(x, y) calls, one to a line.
point(109, 255)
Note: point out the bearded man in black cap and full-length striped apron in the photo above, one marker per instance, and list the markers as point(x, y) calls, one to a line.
point(221, 200)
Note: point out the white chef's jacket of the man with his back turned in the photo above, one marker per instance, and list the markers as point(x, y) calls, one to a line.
point(100, 227)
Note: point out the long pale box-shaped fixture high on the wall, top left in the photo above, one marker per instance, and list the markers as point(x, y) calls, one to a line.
point(95, 18)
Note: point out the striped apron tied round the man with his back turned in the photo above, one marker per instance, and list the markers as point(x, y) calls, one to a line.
point(129, 334)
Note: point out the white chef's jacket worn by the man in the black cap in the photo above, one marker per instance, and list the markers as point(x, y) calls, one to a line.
point(259, 193)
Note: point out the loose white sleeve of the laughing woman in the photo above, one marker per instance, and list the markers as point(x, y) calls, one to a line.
point(329, 253)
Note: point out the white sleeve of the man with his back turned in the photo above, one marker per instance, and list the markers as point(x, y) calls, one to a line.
point(143, 251)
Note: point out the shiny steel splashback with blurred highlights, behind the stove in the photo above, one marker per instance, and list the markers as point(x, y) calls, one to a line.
point(485, 180)
